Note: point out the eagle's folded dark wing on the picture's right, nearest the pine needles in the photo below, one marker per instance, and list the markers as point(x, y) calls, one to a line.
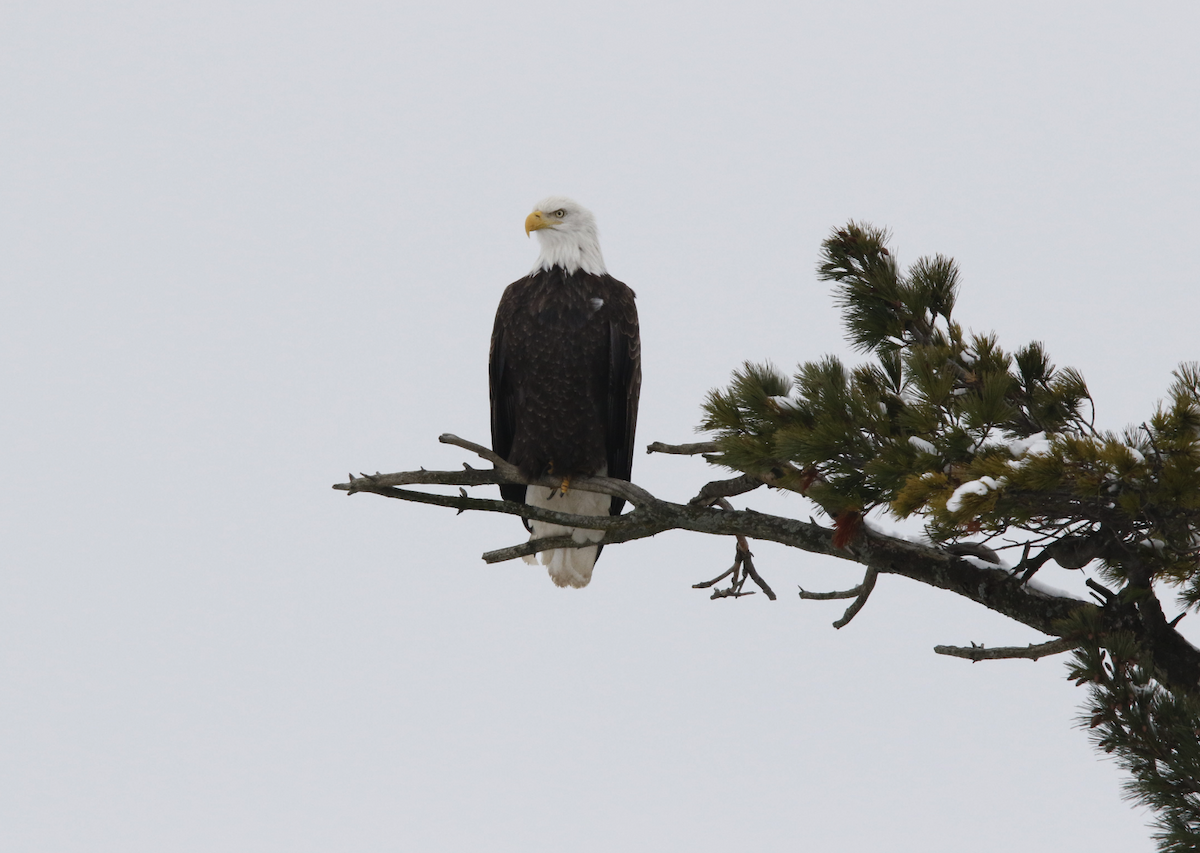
point(625, 386)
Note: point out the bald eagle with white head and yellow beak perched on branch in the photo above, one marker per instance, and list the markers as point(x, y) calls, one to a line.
point(566, 370)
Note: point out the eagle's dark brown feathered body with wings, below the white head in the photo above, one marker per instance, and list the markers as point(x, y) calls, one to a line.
point(566, 375)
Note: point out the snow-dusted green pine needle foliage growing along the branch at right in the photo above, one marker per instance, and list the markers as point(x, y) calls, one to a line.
point(980, 442)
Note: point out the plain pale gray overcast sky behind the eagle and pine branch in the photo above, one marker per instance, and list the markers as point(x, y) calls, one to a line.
point(248, 248)
